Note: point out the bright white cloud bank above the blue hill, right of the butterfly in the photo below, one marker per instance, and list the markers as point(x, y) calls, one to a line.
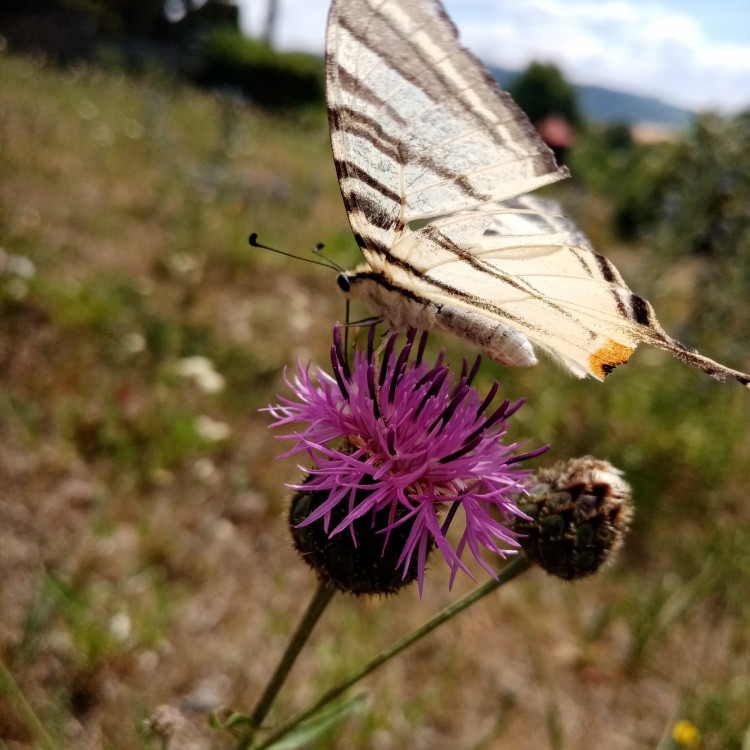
point(644, 48)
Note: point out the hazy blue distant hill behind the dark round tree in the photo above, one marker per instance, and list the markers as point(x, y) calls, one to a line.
point(605, 105)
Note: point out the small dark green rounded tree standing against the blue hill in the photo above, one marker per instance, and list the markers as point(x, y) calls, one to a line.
point(541, 91)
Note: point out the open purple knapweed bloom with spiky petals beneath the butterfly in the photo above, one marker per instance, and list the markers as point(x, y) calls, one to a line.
point(402, 443)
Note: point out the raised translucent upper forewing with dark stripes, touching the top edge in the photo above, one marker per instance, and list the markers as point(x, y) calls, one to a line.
point(418, 127)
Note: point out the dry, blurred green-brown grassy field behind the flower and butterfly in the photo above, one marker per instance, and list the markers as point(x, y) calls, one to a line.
point(145, 563)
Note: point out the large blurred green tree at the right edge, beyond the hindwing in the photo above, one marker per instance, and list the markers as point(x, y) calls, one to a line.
point(690, 199)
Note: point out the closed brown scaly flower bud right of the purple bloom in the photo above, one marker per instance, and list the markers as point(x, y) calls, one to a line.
point(579, 512)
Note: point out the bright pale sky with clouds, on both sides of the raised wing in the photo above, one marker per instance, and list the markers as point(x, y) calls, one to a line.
point(690, 53)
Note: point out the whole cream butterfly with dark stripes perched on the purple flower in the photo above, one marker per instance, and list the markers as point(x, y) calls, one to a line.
point(420, 131)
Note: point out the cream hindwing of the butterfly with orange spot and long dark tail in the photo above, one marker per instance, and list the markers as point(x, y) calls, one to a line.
point(523, 264)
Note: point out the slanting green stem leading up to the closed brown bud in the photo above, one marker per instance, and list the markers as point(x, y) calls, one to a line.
point(513, 569)
